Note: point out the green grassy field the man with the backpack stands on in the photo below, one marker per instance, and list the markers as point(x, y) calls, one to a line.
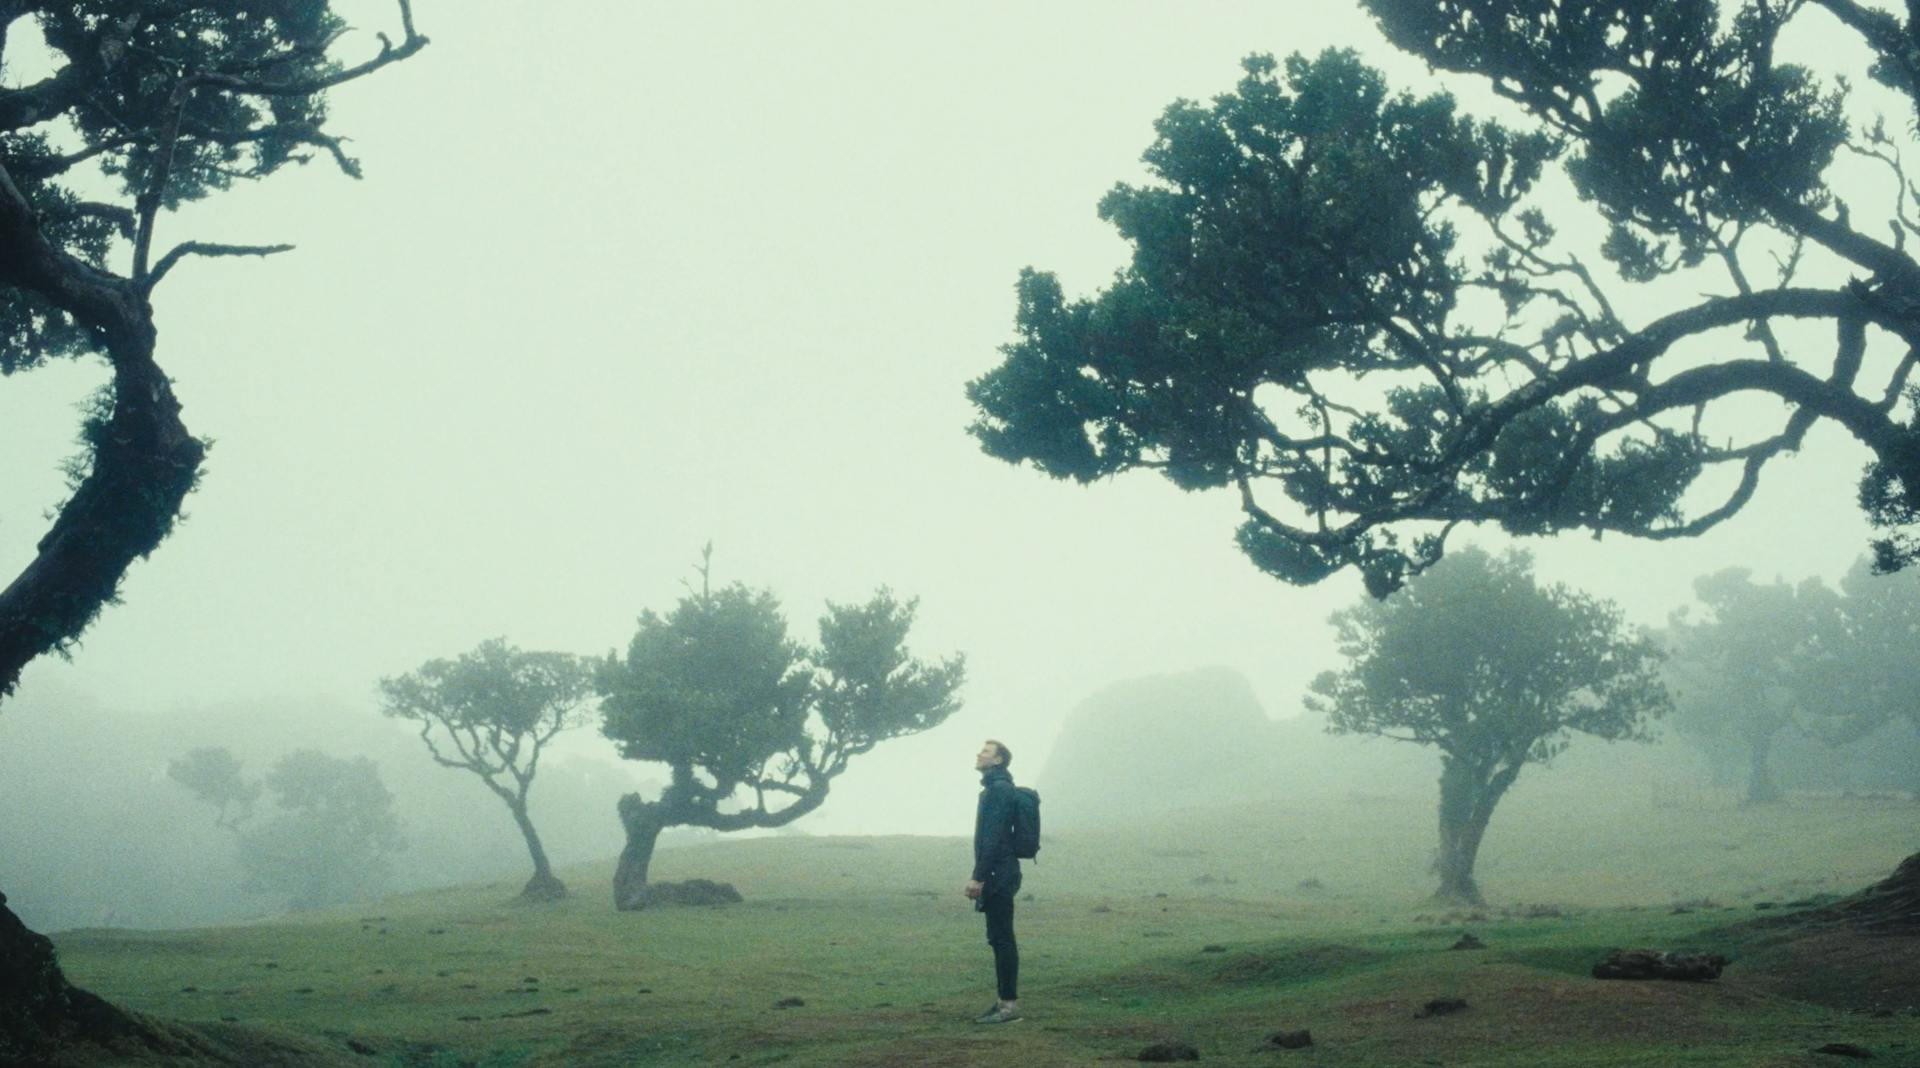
point(1212, 929)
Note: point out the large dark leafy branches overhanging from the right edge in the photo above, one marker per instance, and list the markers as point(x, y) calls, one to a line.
point(1356, 310)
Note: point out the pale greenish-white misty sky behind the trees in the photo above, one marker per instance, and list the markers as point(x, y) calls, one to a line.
point(631, 278)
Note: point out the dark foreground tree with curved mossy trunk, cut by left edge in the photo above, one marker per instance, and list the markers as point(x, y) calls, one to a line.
point(149, 107)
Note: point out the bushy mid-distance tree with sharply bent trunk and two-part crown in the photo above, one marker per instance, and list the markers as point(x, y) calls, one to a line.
point(738, 712)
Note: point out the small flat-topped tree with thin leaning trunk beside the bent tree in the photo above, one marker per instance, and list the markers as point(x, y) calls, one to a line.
point(494, 712)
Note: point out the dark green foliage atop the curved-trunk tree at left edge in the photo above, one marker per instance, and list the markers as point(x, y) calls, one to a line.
point(174, 103)
